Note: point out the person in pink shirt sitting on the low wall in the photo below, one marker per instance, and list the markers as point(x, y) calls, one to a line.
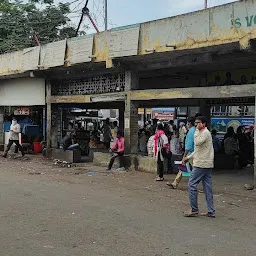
point(117, 150)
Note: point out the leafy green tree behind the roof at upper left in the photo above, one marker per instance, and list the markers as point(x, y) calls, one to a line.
point(21, 21)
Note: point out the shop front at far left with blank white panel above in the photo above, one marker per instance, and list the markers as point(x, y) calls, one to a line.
point(24, 99)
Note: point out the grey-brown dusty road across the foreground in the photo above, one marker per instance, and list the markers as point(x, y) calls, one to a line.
point(113, 215)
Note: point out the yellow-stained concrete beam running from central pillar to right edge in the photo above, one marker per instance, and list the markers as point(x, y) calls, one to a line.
point(212, 92)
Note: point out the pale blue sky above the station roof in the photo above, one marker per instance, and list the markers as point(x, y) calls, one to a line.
point(126, 12)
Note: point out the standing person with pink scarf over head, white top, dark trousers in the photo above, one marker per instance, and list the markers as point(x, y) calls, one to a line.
point(161, 150)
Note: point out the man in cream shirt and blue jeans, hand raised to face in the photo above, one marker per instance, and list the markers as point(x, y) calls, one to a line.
point(203, 161)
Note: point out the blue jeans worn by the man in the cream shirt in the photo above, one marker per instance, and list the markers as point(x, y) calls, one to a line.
point(198, 175)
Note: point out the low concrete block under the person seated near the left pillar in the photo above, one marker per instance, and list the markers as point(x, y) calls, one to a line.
point(68, 155)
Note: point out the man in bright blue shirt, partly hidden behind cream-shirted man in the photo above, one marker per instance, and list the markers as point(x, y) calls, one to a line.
point(189, 149)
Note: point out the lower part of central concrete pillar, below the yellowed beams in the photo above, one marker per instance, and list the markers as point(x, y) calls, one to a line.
point(131, 126)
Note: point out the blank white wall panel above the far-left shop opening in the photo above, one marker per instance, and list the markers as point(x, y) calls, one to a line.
point(22, 92)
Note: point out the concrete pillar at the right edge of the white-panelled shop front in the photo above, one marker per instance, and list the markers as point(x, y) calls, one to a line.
point(51, 120)
